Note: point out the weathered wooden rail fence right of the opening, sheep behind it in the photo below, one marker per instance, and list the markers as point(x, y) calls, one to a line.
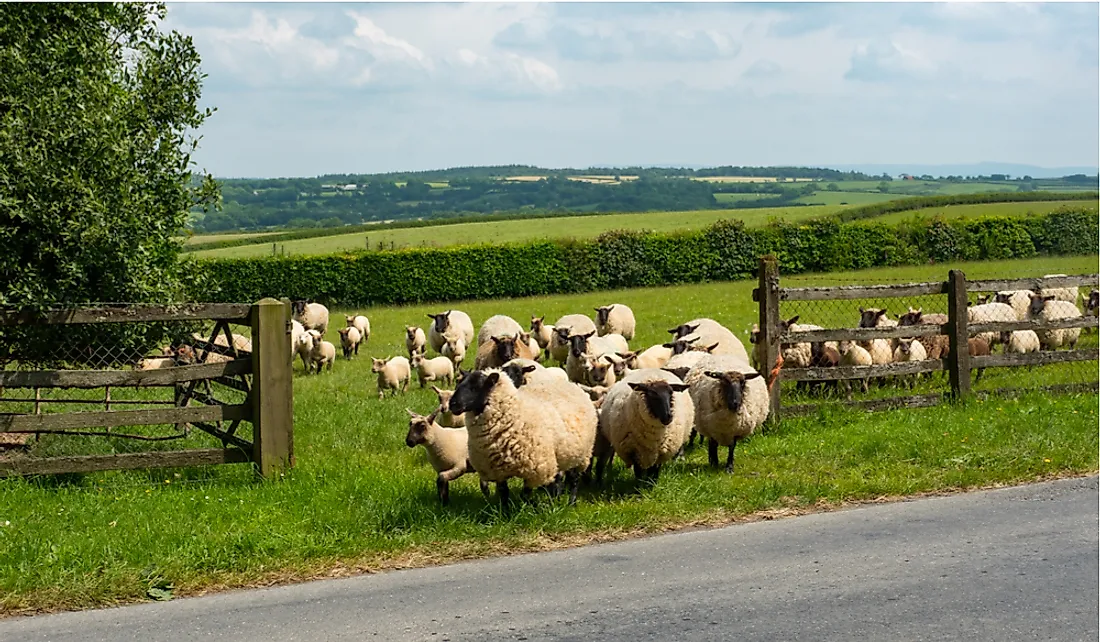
point(959, 363)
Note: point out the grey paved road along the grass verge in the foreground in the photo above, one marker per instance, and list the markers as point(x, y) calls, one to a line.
point(1006, 566)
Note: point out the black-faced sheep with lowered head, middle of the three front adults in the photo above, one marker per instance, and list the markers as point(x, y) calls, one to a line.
point(645, 419)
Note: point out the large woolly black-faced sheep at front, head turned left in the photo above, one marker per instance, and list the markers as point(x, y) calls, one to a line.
point(509, 433)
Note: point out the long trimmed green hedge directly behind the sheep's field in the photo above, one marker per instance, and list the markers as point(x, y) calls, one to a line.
point(725, 251)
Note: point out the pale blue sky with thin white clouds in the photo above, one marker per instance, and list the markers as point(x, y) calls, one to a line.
point(305, 90)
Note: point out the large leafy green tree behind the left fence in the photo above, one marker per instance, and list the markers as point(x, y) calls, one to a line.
point(98, 114)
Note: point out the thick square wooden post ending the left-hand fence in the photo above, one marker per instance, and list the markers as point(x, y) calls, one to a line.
point(272, 389)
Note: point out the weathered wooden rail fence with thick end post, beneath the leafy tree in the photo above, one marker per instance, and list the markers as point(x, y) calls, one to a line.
point(263, 375)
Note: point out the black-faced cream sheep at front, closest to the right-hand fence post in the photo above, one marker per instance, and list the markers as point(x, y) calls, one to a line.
point(731, 403)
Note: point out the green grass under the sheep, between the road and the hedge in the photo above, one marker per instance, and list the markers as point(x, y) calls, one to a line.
point(359, 500)
